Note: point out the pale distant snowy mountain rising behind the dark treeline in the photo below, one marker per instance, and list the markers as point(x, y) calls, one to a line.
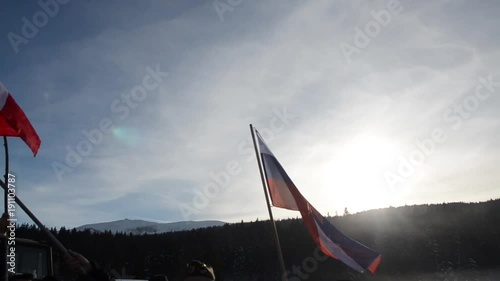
point(142, 227)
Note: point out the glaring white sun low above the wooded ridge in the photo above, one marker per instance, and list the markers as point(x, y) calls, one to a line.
point(355, 173)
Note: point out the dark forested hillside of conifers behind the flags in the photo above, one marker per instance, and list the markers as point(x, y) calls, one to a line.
point(439, 238)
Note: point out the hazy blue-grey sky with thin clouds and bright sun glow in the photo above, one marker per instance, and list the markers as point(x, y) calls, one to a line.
point(143, 107)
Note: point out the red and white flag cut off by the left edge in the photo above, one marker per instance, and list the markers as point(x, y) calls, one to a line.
point(14, 123)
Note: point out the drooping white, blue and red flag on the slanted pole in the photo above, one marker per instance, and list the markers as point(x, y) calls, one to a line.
point(330, 240)
